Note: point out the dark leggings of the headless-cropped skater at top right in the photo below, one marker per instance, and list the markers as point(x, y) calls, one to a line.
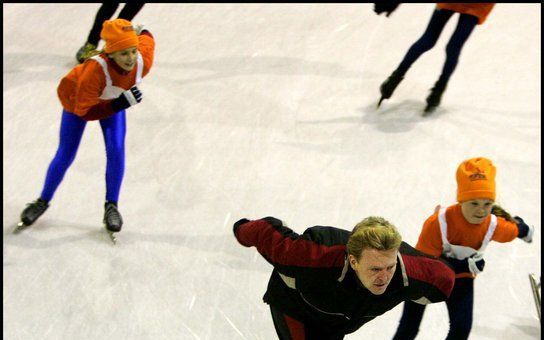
point(440, 17)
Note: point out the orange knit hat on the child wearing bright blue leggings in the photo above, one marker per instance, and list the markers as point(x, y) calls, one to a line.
point(119, 35)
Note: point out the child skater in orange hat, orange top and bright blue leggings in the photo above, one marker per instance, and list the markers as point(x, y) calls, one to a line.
point(99, 89)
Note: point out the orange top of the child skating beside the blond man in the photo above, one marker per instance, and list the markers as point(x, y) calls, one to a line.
point(462, 233)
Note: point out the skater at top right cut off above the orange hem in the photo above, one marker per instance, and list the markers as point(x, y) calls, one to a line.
point(471, 14)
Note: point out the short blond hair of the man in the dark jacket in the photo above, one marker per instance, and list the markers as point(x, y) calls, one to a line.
point(375, 233)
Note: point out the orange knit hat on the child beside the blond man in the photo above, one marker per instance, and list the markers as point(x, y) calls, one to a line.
point(475, 179)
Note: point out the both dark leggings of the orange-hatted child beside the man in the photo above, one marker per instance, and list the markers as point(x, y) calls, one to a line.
point(460, 308)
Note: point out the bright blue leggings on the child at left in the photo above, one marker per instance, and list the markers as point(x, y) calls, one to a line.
point(71, 131)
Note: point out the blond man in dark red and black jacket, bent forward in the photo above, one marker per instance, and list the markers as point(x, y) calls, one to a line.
point(328, 282)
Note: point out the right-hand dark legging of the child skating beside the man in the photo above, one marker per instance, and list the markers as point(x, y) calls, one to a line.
point(460, 308)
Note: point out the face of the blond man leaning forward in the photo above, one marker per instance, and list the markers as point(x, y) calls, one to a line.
point(375, 268)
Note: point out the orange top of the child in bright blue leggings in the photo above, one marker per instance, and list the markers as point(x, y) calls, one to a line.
point(83, 86)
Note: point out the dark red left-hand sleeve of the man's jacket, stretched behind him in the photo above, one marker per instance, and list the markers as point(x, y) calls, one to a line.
point(282, 246)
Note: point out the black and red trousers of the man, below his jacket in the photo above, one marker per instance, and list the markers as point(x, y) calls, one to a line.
point(288, 328)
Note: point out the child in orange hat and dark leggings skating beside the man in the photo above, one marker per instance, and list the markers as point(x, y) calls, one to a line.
point(460, 234)
